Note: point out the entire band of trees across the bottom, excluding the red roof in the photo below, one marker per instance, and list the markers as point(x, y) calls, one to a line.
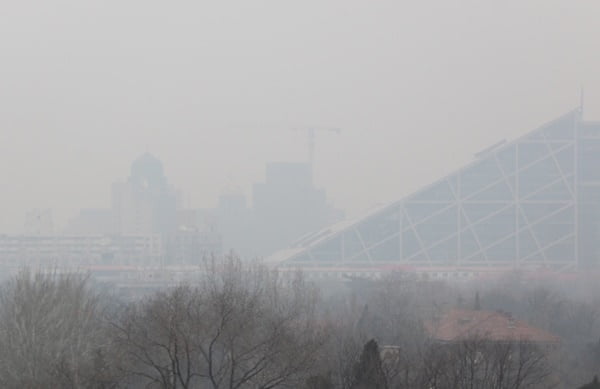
point(245, 326)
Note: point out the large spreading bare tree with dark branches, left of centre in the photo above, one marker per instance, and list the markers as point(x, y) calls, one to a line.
point(241, 326)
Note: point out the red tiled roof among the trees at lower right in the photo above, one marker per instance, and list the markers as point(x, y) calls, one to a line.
point(459, 324)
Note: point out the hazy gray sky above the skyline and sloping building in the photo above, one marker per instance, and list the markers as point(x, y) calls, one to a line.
point(214, 87)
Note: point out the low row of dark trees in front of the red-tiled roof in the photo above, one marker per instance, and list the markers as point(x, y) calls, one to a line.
point(468, 363)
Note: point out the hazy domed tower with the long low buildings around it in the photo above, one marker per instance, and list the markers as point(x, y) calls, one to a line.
point(143, 227)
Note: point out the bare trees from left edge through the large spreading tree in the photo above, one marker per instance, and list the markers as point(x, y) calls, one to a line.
point(239, 326)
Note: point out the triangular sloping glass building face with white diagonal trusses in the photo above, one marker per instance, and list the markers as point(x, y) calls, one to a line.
point(515, 205)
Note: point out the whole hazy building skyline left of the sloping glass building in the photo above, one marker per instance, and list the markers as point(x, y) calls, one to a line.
point(145, 221)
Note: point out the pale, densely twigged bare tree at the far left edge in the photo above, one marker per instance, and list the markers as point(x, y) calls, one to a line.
point(50, 332)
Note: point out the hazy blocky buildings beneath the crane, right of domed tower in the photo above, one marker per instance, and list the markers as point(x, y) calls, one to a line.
point(283, 208)
